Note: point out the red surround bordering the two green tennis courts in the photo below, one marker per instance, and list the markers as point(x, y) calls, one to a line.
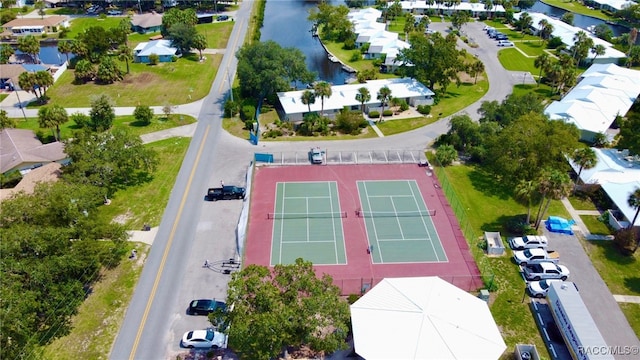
point(360, 273)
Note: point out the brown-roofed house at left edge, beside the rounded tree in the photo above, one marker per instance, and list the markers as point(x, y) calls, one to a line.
point(21, 150)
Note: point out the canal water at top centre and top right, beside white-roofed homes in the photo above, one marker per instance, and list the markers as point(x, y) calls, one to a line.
point(285, 22)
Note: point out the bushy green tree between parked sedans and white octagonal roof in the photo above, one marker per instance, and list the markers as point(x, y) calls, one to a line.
point(288, 306)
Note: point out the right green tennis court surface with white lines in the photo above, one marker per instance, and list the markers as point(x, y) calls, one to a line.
point(398, 223)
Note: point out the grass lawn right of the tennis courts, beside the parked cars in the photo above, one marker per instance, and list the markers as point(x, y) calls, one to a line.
point(489, 205)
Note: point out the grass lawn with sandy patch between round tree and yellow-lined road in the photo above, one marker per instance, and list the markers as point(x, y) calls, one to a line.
point(145, 204)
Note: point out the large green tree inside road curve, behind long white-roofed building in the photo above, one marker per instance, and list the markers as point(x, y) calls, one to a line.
point(433, 60)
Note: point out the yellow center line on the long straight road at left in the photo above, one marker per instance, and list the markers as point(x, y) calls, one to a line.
point(166, 249)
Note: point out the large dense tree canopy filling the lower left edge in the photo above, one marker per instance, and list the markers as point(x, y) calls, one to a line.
point(50, 254)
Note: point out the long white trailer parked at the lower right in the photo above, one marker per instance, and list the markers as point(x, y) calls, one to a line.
point(579, 331)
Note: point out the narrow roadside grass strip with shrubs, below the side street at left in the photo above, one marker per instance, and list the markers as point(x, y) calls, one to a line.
point(128, 121)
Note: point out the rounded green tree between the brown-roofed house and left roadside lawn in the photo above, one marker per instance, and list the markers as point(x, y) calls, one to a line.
point(110, 160)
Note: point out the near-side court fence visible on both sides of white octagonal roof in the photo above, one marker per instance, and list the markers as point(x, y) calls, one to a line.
point(359, 286)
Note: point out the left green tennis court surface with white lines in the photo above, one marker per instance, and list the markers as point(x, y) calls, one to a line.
point(307, 224)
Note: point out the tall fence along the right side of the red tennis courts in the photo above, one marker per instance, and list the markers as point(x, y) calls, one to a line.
point(475, 245)
